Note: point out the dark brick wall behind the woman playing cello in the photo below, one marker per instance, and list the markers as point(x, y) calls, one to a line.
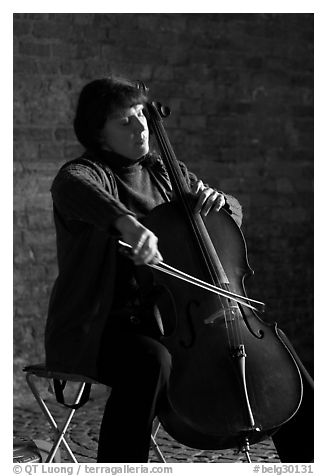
point(241, 90)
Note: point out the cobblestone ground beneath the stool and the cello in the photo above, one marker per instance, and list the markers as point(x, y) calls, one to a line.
point(82, 436)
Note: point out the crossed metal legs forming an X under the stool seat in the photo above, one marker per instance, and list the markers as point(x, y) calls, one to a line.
point(51, 420)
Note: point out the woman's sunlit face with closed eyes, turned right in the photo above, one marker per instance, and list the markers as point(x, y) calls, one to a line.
point(126, 133)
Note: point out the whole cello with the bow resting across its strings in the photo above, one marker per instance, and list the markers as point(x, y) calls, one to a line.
point(234, 382)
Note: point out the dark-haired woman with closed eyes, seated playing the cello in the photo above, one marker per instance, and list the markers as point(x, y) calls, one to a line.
point(99, 322)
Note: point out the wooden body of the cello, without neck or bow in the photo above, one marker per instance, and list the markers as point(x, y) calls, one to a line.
point(206, 408)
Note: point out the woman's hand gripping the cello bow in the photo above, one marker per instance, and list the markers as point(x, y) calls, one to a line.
point(144, 243)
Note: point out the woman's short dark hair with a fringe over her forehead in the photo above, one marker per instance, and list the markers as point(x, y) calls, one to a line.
point(97, 100)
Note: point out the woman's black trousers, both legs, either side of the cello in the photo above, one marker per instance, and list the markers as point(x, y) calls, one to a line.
point(137, 367)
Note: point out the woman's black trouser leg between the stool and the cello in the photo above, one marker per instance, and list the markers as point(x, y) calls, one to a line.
point(137, 367)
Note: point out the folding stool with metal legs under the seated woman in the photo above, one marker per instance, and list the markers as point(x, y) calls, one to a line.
point(59, 381)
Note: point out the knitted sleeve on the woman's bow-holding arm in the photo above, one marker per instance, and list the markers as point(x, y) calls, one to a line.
point(78, 193)
